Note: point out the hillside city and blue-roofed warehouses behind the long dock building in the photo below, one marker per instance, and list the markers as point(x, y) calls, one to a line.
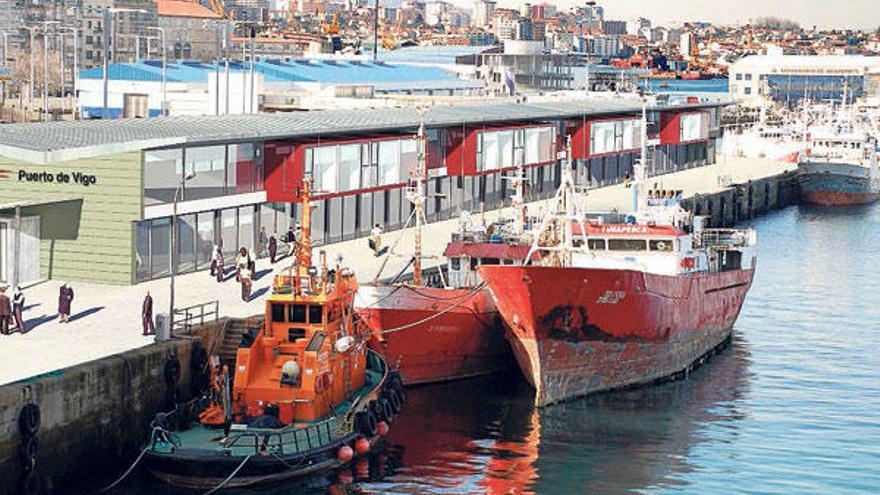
point(56, 56)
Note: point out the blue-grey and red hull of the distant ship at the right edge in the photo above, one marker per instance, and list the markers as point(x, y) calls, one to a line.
point(836, 184)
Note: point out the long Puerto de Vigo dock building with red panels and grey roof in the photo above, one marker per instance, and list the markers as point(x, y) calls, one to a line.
point(75, 192)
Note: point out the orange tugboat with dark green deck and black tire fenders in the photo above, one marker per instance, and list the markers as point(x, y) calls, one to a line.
point(303, 398)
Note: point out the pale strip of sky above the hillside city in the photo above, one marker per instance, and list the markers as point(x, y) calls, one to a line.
point(854, 14)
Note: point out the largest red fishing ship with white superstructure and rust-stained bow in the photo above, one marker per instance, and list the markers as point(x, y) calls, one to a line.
point(610, 305)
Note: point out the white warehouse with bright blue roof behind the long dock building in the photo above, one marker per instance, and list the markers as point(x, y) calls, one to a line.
point(135, 88)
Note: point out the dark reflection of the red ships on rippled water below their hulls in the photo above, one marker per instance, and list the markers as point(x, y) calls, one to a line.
point(484, 436)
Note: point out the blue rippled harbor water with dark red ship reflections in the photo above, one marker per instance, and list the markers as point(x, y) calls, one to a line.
point(791, 405)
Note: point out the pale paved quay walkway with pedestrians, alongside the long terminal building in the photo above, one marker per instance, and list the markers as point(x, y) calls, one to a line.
point(105, 320)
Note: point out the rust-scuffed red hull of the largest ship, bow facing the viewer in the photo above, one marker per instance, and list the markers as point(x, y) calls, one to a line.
point(576, 331)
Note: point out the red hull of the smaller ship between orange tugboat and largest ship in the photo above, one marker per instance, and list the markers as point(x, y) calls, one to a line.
point(466, 340)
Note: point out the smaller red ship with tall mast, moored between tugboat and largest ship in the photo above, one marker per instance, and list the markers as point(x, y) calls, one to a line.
point(447, 329)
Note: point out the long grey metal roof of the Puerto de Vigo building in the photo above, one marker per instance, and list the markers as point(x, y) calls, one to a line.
point(59, 141)
